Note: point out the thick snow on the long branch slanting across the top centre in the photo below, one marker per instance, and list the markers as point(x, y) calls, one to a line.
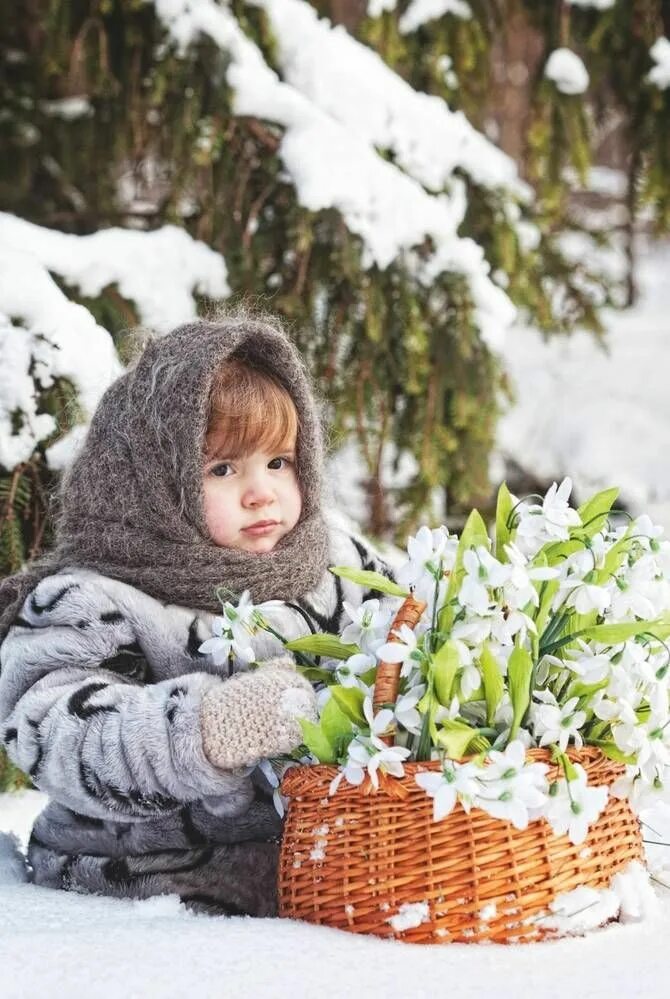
point(331, 155)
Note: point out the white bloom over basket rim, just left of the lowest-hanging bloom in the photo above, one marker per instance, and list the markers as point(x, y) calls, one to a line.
point(511, 789)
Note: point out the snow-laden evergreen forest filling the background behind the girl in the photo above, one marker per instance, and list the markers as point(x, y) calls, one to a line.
point(414, 186)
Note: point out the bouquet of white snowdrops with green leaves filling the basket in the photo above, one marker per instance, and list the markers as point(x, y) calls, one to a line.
point(551, 635)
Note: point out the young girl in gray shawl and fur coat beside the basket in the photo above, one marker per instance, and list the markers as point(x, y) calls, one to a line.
point(201, 468)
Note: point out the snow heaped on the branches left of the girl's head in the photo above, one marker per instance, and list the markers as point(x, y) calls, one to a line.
point(44, 336)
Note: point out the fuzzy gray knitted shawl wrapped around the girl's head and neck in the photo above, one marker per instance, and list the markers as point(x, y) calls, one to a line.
point(131, 504)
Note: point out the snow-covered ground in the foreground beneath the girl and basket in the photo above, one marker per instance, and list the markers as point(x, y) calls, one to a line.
point(54, 943)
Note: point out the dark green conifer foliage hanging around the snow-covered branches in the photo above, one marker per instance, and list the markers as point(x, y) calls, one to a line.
point(399, 364)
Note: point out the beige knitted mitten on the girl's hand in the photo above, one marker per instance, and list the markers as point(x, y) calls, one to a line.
point(254, 715)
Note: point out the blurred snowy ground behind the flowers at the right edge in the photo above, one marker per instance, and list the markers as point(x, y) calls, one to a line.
point(599, 414)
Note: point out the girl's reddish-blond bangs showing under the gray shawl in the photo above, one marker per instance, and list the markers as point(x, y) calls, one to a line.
point(249, 411)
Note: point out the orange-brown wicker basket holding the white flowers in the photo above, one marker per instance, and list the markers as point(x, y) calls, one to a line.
point(355, 859)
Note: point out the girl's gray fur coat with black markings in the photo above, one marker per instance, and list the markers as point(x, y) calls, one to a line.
point(100, 691)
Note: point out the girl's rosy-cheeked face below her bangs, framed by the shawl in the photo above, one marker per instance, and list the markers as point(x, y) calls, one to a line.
point(251, 502)
